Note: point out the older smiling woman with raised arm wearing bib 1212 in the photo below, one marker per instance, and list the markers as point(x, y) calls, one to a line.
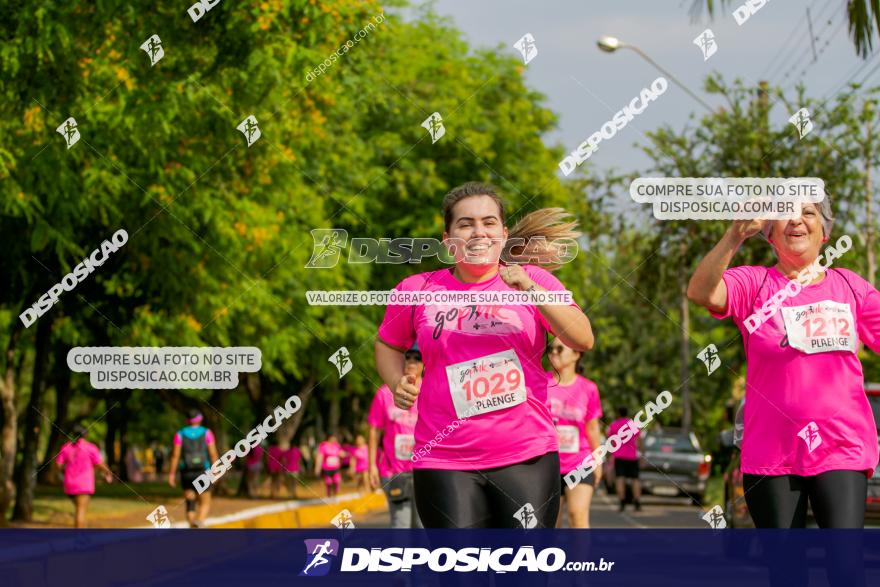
point(809, 429)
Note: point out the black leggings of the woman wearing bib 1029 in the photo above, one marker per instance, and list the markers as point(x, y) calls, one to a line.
point(489, 498)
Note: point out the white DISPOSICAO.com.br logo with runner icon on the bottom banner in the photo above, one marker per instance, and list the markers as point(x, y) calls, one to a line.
point(464, 560)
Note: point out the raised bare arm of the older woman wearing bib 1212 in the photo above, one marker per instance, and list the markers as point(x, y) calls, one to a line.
point(706, 287)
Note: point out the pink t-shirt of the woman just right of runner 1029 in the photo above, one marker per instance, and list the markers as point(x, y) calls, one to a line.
point(572, 406)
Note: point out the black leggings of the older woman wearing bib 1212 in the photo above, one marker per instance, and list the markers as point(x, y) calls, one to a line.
point(780, 501)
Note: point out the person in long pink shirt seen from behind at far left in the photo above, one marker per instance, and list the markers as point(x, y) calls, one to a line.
point(79, 458)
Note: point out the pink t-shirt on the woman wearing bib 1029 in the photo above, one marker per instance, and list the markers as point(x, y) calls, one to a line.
point(484, 393)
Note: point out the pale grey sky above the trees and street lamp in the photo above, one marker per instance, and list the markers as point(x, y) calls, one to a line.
point(586, 86)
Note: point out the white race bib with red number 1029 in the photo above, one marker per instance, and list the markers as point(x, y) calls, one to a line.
point(487, 384)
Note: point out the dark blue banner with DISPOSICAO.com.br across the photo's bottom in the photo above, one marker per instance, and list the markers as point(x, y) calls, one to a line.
point(656, 558)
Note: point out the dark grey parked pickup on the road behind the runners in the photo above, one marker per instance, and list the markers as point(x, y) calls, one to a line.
point(674, 464)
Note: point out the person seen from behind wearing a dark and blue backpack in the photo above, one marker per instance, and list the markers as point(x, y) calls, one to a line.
point(194, 451)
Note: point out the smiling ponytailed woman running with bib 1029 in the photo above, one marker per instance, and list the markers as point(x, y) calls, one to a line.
point(485, 439)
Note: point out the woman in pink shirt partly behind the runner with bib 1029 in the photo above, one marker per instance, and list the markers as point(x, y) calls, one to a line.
point(575, 407)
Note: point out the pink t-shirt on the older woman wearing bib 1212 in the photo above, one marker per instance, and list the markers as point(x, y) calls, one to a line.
point(806, 412)
